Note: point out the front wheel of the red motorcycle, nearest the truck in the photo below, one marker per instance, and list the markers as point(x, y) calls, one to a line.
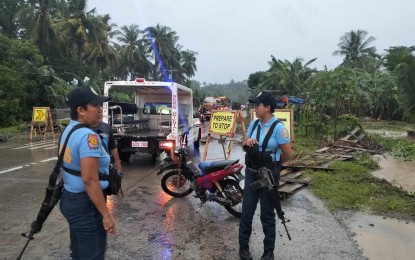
point(174, 184)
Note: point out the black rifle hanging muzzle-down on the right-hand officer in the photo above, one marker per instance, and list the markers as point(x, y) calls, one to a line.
point(266, 180)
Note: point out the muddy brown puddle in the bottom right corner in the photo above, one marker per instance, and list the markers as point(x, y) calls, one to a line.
point(383, 238)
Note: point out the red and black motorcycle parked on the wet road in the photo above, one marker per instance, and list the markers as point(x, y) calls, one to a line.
point(216, 181)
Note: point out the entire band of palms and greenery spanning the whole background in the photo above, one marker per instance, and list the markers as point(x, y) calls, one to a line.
point(48, 47)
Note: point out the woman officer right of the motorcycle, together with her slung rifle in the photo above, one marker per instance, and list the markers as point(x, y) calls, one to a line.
point(267, 146)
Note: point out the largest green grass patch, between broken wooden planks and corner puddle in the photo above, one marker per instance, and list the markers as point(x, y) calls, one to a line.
point(352, 187)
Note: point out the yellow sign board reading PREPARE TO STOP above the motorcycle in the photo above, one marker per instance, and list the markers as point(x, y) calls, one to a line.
point(223, 122)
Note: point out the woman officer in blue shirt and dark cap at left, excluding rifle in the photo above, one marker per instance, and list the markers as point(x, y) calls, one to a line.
point(83, 202)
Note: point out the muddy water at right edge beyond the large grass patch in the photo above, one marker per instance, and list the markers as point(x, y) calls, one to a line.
point(396, 171)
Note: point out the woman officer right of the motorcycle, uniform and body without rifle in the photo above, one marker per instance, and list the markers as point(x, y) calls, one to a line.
point(280, 150)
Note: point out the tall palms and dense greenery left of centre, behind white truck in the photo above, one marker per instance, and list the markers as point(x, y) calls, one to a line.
point(49, 47)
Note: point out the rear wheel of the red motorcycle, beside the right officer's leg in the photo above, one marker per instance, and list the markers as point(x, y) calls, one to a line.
point(234, 193)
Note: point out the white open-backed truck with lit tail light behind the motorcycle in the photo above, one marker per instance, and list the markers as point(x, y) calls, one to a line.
point(152, 124)
